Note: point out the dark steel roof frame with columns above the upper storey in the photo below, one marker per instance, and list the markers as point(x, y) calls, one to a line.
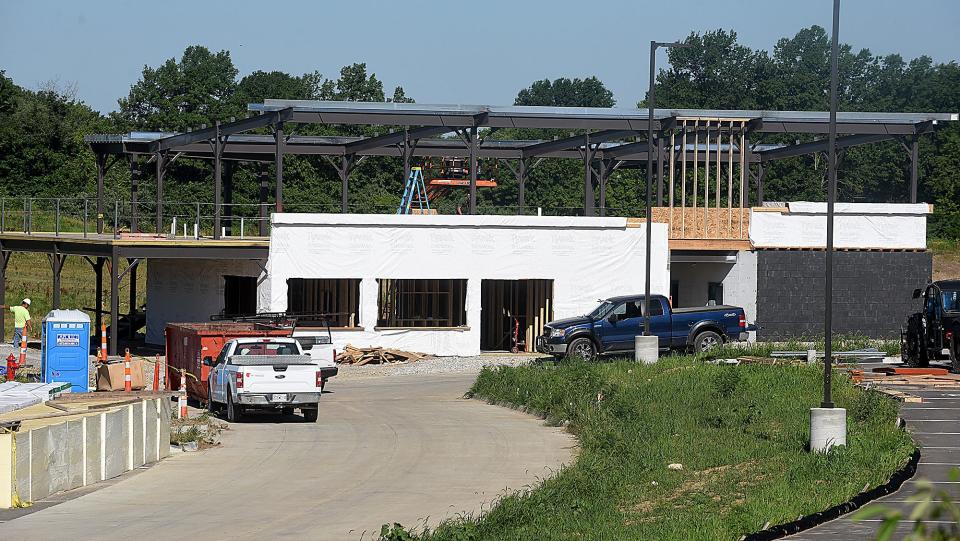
point(604, 146)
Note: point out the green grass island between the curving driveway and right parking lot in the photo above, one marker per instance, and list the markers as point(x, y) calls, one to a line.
point(740, 433)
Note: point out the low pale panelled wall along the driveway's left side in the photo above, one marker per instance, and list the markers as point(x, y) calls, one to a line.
point(79, 452)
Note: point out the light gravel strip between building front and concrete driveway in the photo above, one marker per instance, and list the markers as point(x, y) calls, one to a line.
point(435, 365)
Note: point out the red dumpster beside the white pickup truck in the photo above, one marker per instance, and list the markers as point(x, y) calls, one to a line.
point(189, 343)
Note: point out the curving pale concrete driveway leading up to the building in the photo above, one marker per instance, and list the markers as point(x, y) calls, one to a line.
point(402, 449)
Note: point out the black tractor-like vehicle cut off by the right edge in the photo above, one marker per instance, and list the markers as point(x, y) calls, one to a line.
point(934, 332)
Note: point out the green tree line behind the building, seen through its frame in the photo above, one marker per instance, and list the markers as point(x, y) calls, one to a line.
point(42, 153)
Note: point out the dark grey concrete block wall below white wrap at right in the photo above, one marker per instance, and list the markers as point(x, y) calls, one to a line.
point(872, 292)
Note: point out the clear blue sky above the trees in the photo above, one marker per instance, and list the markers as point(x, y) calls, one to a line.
point(479, 52)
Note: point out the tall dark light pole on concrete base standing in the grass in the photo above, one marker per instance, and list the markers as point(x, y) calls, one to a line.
point(828, 424)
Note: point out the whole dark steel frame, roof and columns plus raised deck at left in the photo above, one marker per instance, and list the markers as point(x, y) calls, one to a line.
point(606, 140)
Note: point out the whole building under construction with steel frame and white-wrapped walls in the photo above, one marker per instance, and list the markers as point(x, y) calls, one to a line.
point(722, 241)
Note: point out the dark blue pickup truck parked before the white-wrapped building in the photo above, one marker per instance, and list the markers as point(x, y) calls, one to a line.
point(612, 326)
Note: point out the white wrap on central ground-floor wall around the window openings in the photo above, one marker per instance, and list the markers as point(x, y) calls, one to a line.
point(587, 258)
